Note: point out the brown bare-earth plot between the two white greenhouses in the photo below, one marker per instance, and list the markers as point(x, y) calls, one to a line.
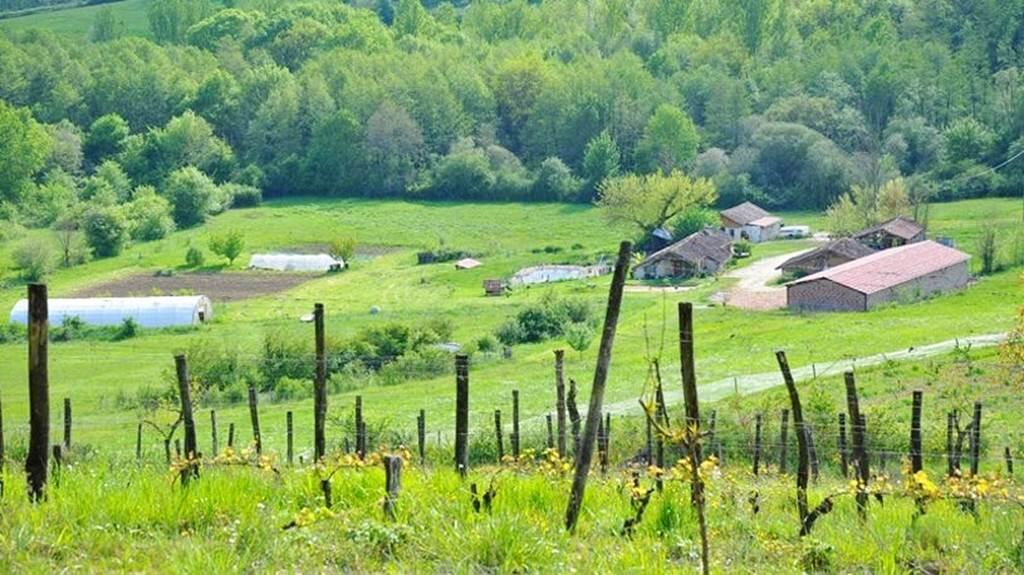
point(226, 287)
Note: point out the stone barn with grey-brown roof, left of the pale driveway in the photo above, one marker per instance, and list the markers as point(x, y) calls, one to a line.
point(703, 253)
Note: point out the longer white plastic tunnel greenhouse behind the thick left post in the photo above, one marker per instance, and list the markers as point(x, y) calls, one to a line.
point(148, 313)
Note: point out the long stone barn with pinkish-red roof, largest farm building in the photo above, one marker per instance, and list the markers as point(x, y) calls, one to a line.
point(909, 272)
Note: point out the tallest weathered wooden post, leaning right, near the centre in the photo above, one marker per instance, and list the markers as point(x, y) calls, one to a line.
point(585, 454)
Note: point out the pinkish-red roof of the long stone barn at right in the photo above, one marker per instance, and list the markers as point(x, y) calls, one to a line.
point(890, 269)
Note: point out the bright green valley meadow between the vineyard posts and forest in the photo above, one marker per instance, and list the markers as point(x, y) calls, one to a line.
point(507, 238)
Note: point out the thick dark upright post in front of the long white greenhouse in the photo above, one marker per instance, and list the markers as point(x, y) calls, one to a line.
point(39, 393)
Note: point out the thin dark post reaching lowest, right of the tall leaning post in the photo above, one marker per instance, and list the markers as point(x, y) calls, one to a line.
point(688, 368)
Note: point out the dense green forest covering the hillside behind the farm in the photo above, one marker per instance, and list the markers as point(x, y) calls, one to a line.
point(787, 103)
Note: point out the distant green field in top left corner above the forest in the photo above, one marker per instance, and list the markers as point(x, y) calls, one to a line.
point(77, 23)
